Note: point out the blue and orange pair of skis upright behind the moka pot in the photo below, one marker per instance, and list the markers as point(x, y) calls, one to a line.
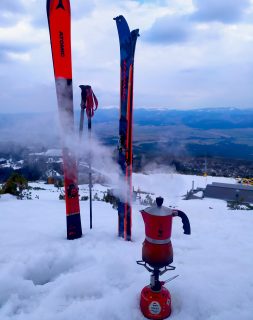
point(127, 41)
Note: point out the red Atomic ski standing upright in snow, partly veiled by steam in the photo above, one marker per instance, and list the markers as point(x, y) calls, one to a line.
point(59, 22)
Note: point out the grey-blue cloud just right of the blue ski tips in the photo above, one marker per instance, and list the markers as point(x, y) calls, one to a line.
point(169, 30)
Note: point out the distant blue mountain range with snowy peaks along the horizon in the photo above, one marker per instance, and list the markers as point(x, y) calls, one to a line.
point(214, 118)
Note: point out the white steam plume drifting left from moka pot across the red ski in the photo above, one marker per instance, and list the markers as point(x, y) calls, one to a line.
point(88, 147)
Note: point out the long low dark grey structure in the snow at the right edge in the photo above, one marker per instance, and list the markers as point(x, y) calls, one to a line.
point(227, 191)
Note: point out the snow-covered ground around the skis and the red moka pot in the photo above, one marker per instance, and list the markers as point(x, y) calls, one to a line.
point(43, 276)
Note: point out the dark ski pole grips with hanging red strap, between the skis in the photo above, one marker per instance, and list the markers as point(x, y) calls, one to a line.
point(88, 100)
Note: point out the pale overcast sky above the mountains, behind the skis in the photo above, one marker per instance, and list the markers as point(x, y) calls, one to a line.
point(191, 53)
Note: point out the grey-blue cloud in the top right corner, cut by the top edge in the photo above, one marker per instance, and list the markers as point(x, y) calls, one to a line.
point(225, 11)
